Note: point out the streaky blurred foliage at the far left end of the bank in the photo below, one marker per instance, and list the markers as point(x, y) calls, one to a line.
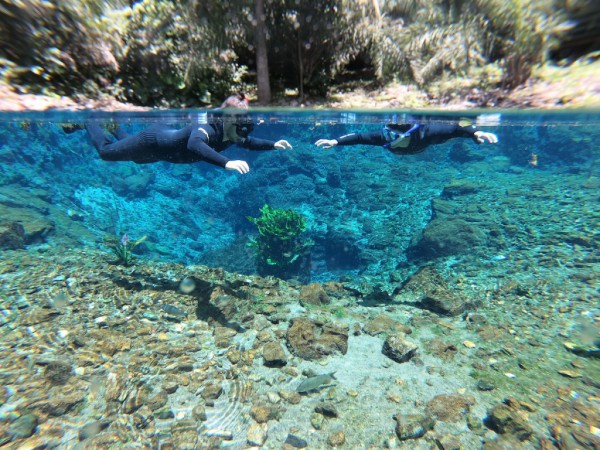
point(56, 46)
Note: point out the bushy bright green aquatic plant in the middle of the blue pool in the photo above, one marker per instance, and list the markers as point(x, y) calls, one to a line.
point(279, 248)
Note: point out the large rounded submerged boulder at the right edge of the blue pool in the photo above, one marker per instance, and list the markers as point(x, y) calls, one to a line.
point(445, 237)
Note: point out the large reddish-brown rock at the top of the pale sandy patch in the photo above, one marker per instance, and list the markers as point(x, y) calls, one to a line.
point(313, 340)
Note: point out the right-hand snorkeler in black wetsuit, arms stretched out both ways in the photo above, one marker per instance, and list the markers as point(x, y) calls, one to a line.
point(409, 139)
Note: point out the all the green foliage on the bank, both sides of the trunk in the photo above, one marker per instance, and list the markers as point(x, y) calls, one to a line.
point(191, 52)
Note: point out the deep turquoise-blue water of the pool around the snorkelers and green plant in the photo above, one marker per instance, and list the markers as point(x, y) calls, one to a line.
point(197, 213)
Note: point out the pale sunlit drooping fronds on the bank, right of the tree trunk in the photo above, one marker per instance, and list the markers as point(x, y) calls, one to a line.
point(423, 41)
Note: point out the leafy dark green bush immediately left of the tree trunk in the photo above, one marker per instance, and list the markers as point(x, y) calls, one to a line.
point(180, 53)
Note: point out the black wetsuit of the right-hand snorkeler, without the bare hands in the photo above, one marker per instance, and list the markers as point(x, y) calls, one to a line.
point(420, 138)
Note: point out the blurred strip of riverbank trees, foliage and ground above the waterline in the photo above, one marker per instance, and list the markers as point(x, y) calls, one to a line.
point(190, 53)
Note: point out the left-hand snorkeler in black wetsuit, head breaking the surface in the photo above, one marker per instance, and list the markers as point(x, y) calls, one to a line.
point(193, 143)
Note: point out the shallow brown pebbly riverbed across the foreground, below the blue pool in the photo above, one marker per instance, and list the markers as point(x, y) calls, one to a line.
point(157, 355)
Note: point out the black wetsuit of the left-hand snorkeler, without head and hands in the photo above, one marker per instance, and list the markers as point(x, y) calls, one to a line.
point(193, 143)
